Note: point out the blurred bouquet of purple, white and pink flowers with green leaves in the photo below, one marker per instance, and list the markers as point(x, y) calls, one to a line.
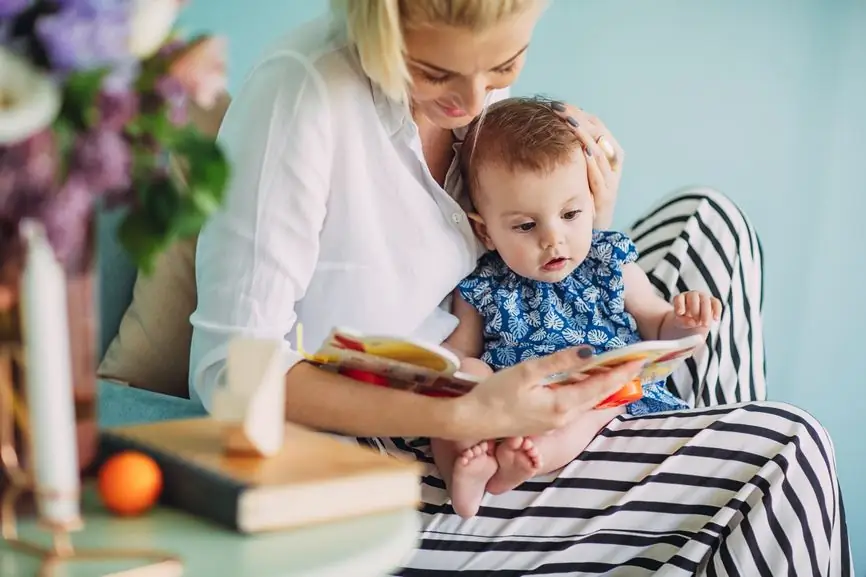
point(93, 112)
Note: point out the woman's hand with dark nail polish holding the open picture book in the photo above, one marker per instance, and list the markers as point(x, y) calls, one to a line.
point(512, 402)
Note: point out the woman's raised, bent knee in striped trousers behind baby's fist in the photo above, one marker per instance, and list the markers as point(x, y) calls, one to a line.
point(698, 240)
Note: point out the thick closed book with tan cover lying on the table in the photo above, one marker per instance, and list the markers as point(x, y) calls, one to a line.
point(314, 478)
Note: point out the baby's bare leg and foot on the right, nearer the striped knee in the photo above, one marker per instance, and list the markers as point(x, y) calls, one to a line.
point(521, 458)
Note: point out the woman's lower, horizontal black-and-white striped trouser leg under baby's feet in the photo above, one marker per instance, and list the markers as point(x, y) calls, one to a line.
point(747, 489)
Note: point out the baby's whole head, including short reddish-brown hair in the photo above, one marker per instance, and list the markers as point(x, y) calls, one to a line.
point(525, 172)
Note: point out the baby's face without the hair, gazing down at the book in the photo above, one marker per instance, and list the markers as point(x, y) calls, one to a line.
point(541, 224)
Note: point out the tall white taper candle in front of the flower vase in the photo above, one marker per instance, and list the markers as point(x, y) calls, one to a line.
point(48, 385)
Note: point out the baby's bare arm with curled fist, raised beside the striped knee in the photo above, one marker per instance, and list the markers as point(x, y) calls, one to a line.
point(660, 320)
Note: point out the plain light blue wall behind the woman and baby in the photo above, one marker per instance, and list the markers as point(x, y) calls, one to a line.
point(764, 100)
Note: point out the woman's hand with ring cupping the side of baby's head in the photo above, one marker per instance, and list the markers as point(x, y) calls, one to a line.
point(600, 146)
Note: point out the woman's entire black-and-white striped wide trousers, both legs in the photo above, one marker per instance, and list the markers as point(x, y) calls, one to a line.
point(742, 489)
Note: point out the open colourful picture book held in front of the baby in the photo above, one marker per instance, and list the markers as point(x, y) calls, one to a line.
point(430, 369)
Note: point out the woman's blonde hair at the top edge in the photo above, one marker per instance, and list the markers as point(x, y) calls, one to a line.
point(376, 28)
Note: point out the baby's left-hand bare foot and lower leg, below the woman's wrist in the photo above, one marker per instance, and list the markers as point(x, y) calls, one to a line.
point(466, 468)
